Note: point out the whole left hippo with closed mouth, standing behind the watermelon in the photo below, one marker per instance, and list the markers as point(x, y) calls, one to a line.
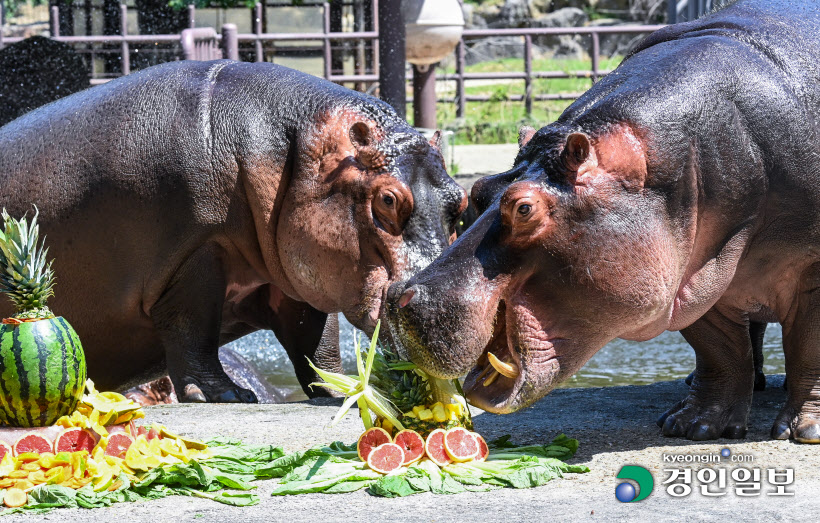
point(192, 203)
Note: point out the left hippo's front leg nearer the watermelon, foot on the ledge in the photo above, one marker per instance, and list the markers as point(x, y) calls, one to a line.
point(189, 329)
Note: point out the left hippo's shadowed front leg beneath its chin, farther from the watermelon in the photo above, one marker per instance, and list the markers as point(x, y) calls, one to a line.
point(305, 333)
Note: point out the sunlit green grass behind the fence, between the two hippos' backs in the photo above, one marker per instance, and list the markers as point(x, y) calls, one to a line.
point(498, 120)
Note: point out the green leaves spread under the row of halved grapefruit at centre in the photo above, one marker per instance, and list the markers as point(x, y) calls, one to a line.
point(332, 469)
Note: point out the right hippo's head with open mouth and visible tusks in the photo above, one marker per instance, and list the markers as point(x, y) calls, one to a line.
point(572, 249)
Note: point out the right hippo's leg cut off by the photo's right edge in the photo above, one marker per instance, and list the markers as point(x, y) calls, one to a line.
point(800, 417)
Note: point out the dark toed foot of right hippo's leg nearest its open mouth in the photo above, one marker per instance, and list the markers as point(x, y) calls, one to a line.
point(697, 420)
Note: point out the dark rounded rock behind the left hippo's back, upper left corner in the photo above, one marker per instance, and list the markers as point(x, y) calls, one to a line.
point(37, 71)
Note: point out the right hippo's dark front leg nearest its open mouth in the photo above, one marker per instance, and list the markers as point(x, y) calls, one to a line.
point(721, 391)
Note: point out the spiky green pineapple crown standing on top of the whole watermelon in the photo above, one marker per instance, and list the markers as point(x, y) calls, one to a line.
point(25, 276)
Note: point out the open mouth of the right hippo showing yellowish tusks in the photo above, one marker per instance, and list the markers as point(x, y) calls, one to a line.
point(502, 379)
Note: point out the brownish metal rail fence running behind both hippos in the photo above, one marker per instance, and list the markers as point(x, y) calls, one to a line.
point(206, 43)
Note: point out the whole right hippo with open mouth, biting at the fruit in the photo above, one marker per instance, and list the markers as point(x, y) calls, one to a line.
point(681, 192)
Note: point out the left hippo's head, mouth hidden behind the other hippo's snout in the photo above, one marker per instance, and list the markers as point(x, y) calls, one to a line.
point(370, 204)
